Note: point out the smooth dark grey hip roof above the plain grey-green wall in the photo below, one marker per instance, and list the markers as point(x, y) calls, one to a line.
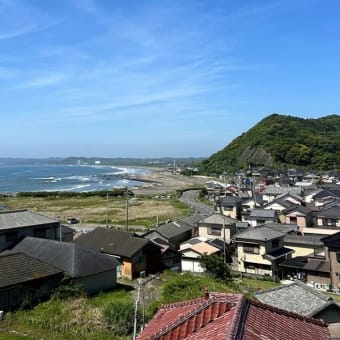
point(73, 259)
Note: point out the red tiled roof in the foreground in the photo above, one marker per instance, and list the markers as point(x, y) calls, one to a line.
point(230, 316)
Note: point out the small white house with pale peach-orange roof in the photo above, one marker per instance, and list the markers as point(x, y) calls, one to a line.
point(191, 252)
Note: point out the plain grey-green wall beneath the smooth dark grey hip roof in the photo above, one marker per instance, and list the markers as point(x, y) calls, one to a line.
point(99, 282)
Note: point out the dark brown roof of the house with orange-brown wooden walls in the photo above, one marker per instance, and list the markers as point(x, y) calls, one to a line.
point(111, 241)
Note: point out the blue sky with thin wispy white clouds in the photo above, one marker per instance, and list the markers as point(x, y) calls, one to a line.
point(136, 78)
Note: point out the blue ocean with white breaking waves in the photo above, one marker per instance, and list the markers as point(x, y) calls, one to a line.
point(77, 178)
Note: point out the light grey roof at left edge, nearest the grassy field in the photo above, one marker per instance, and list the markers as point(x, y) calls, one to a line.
point(23, 218)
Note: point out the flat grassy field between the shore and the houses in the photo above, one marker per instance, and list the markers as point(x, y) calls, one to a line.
point(94, 210)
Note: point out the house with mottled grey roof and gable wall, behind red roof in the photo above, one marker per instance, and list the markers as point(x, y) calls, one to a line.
point(301, 299)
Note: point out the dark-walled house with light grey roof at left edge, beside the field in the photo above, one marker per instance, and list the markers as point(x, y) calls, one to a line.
point(17, 224)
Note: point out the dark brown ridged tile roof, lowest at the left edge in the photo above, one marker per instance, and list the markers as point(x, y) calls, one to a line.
point(18, 268)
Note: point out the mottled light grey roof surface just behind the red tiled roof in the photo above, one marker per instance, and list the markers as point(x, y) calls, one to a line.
point(296, 297)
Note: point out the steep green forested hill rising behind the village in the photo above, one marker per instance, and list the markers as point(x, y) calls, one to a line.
point(280, 141)
